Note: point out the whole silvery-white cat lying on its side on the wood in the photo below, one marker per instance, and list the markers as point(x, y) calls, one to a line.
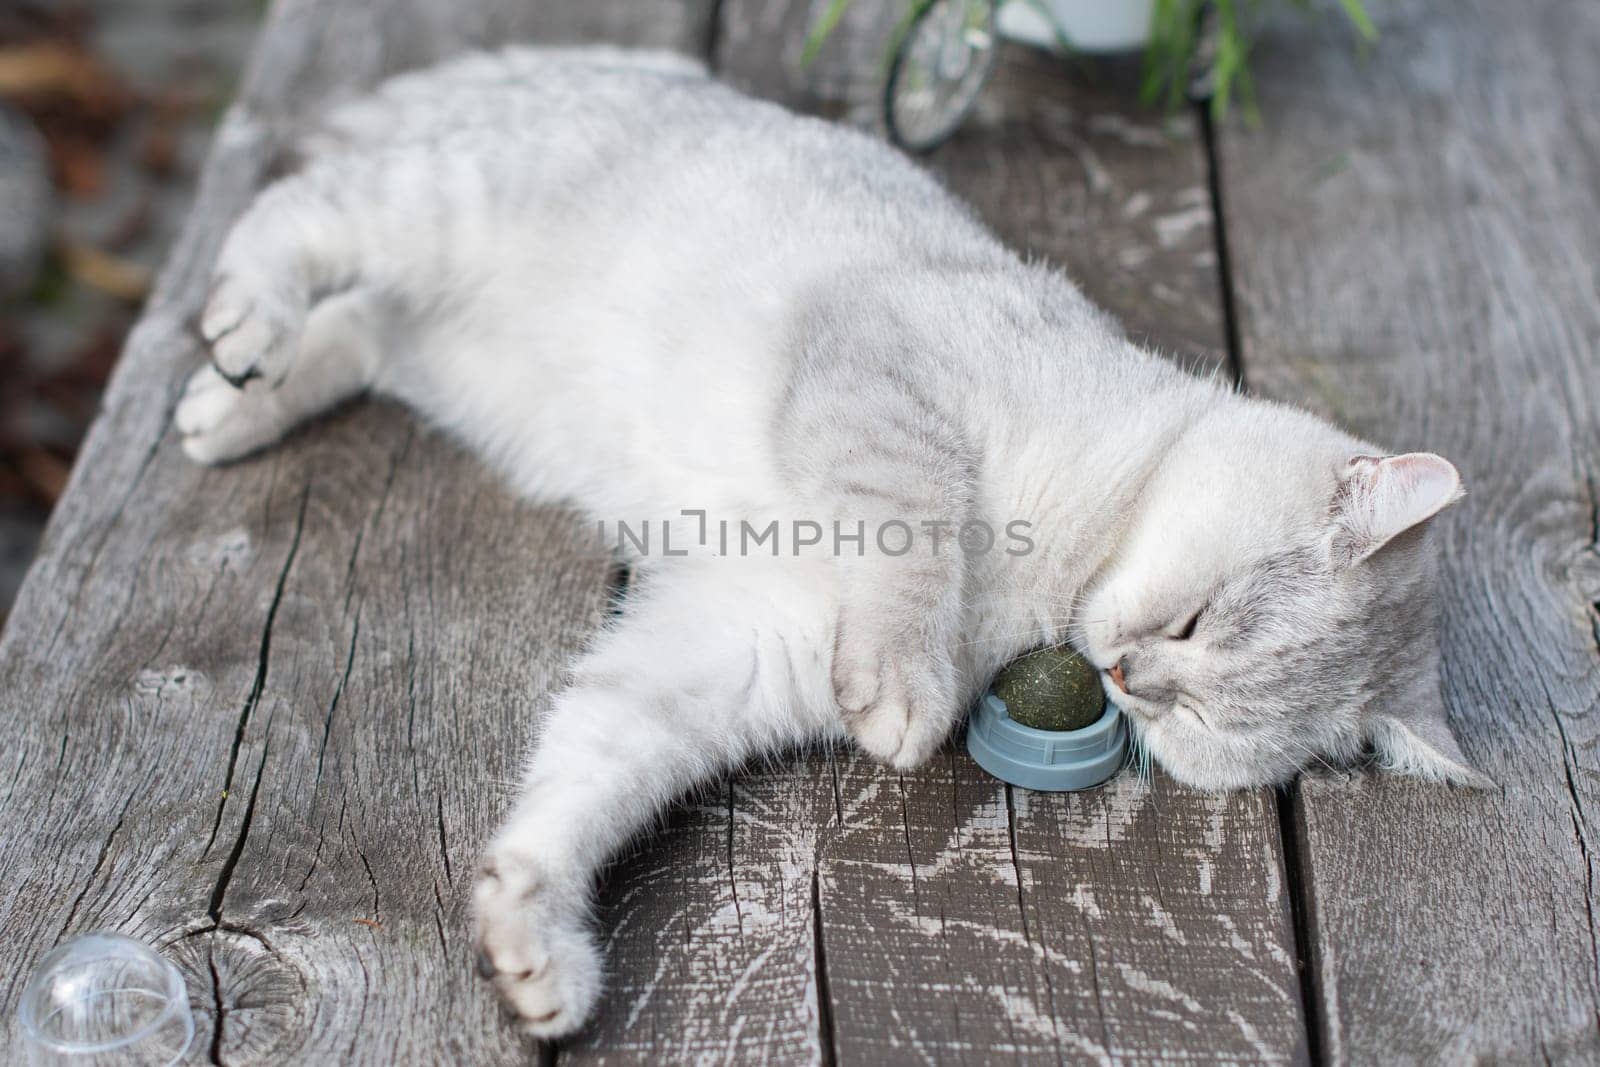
point(633, 289)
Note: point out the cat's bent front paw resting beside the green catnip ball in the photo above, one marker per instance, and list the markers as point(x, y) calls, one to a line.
point(897, 703)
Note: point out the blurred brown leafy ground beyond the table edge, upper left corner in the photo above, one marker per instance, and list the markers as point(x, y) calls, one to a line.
point(106, 110)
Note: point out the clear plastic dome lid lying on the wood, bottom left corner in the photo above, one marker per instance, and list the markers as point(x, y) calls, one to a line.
point(106, 999)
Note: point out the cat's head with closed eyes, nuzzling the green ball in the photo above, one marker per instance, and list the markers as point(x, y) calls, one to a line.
point(1276, 605)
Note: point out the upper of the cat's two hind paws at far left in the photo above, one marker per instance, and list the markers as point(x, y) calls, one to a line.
point(252, 329)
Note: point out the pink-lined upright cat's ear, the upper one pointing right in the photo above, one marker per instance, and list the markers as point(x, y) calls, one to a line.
point(1383, 497)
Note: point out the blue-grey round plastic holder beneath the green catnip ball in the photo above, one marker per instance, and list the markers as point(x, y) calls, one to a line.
point(1049, 761)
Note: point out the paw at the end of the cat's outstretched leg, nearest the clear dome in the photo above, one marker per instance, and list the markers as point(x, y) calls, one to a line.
point(534, 946)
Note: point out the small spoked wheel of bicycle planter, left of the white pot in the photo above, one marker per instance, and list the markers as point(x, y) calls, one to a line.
point(945, 60)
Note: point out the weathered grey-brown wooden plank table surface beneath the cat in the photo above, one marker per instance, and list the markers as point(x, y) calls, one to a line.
point(266, 716)
